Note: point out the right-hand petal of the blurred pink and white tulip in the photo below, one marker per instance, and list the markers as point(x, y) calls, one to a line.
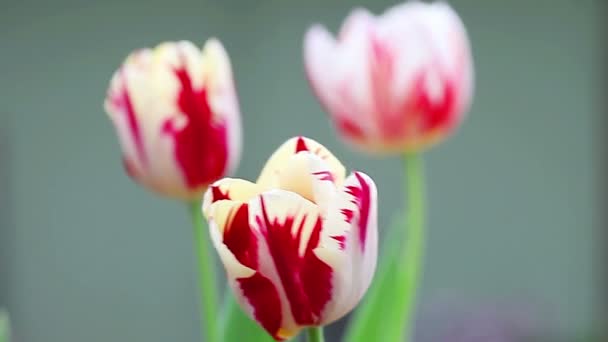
point(432, 80)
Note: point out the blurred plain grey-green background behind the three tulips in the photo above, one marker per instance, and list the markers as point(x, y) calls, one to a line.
point(514, 246)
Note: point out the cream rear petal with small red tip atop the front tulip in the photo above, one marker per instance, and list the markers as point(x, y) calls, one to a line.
point(270, 176)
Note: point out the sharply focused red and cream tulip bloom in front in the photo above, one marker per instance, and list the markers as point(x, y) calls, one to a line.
point(299, 246)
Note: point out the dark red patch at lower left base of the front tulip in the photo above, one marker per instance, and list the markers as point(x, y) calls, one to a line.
point(264, 298)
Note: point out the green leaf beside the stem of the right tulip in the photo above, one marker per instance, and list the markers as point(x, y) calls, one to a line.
point(369, 321)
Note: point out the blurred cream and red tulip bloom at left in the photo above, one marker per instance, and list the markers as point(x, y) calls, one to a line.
point(176, 114)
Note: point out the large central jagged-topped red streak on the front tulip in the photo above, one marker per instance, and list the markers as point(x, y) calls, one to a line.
point(305, 278)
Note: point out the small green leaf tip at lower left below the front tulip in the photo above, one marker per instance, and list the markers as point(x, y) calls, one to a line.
point(237, 327)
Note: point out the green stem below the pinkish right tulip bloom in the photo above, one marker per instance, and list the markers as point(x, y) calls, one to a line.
point(413, 253)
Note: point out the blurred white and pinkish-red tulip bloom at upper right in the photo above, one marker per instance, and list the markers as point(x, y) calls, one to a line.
point(398, 82)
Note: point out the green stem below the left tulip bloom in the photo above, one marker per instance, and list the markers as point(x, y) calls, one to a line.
point(208, 295)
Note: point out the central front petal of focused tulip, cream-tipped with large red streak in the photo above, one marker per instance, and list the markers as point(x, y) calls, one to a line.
point(290, 227)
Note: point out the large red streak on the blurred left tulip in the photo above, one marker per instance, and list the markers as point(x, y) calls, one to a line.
point(200, 147)
